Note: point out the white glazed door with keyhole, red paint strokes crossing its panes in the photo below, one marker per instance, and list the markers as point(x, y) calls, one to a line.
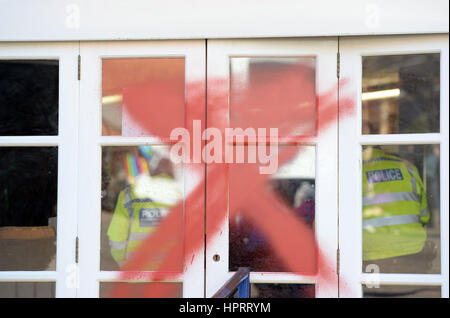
point(280, 222)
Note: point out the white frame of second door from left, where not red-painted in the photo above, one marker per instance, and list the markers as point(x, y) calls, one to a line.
point(91, 141)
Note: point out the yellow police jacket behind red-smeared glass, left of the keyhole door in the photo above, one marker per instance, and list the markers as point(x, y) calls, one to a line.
point(135, 218)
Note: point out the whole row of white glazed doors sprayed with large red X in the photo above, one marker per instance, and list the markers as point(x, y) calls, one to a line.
point(273, 209)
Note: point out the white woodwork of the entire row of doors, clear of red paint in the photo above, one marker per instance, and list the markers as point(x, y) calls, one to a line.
point(338, 161)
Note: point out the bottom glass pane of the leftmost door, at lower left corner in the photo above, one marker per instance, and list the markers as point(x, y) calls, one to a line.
point(27, 290)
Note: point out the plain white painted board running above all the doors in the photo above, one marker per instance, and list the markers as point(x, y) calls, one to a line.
point(182, 19)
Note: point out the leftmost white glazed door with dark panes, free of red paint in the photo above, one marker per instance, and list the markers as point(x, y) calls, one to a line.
point(38, 169)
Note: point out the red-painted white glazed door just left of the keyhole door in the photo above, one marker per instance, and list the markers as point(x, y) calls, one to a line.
point(132, 95)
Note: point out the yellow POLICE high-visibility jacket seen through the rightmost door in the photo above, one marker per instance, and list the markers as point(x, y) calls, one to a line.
point(395, 206)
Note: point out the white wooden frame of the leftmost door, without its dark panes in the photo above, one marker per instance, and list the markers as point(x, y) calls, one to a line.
point(66, 53)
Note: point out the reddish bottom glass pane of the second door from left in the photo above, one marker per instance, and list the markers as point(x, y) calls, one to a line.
point(141, 290)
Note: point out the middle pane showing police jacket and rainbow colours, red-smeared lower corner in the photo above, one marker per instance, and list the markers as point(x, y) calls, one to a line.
point(140, 188)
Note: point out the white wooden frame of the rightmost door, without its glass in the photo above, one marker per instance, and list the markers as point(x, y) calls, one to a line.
point(350, 158)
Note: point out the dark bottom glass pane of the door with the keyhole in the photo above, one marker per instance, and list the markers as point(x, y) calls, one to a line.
point(282, 291)
